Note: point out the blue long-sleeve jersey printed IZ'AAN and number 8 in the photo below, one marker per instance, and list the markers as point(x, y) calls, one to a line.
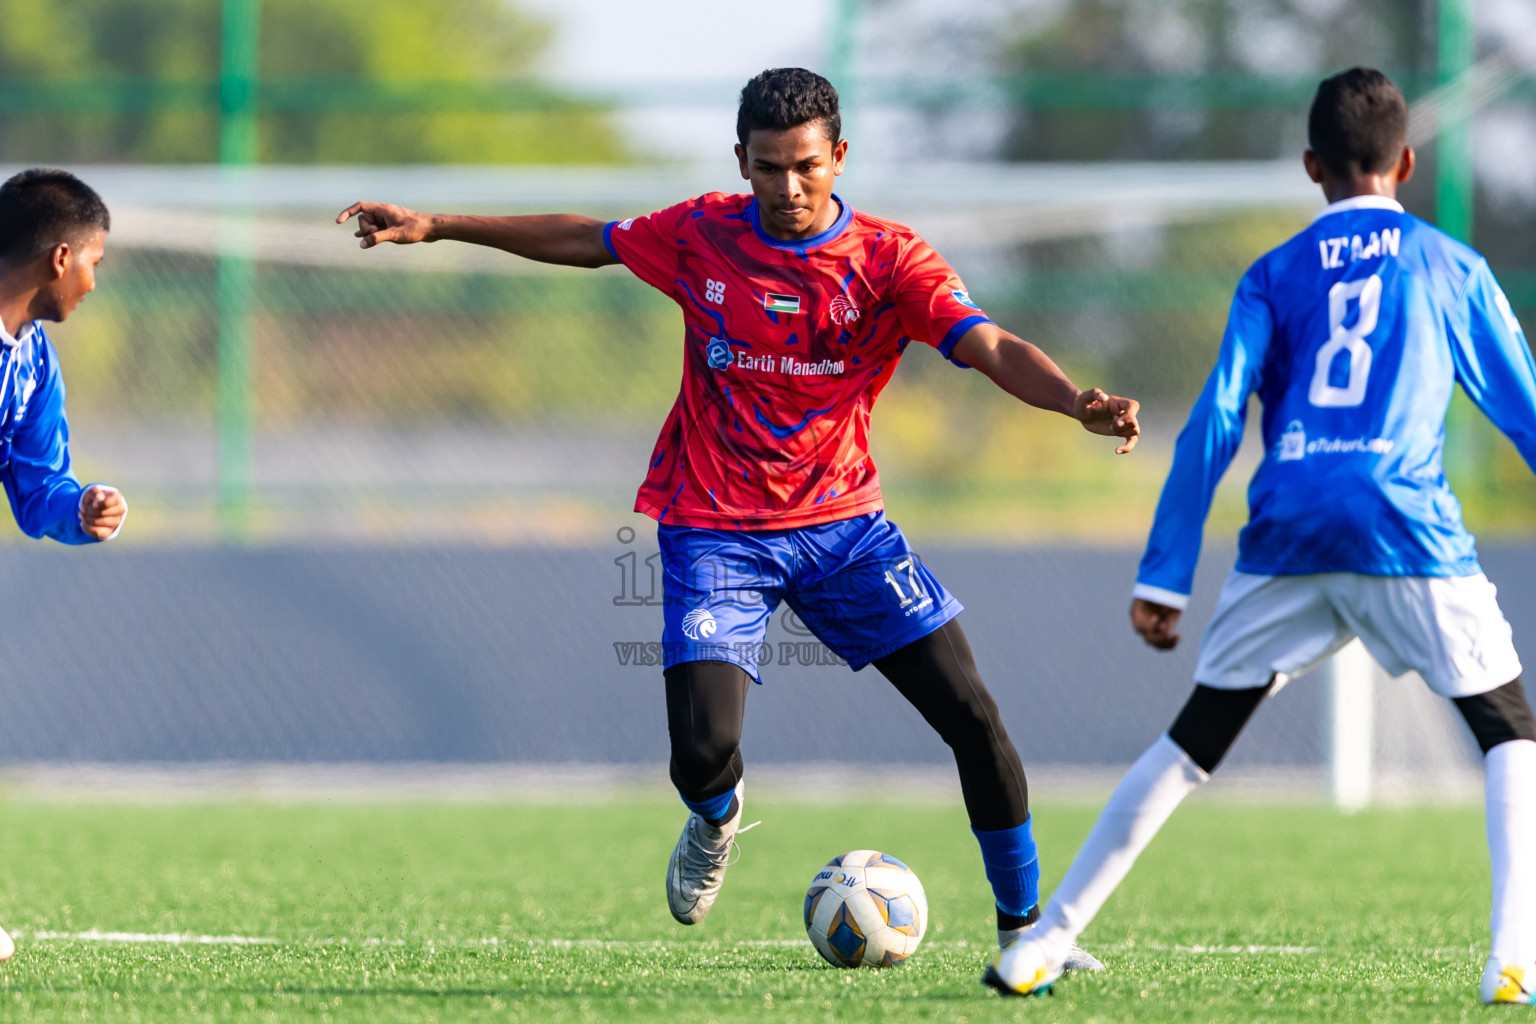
point(1354, 335)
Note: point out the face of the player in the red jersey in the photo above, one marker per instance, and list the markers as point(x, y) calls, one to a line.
point(793, 176)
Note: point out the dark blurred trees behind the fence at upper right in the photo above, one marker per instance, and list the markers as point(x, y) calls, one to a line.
point(1164, 47)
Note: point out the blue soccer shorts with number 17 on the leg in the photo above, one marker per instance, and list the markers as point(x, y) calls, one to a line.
point(856, 584)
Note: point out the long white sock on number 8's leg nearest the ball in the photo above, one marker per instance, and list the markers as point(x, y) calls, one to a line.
point(1144, 801)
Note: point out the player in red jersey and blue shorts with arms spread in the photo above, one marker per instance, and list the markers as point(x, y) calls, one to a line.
point(796, 311)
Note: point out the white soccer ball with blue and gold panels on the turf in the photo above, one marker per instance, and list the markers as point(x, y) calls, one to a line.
point(866, 910)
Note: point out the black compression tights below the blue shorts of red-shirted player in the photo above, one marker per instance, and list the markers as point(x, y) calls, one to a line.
point(706, 702)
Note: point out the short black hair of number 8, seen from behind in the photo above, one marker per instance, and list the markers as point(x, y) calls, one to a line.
point(1359, 124)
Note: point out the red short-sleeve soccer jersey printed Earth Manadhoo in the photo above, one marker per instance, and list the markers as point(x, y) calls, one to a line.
point(786, 348)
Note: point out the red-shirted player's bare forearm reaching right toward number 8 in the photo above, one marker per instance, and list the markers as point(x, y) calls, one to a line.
point(1031, 377)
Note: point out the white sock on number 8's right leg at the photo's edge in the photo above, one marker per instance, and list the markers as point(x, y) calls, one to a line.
point(1512, 848)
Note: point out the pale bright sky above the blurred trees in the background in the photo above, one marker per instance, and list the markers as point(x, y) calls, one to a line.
point(694, 56)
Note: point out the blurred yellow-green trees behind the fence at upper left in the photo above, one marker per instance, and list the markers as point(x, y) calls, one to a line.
point(107, 53)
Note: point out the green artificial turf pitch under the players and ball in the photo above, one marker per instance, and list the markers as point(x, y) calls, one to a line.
point(462, 913)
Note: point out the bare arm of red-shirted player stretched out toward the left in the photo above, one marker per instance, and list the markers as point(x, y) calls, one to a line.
point(561, 239)
